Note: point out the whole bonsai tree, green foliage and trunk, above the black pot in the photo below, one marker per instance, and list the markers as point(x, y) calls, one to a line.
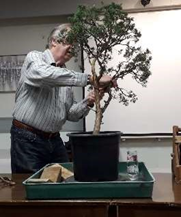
point(101, 32)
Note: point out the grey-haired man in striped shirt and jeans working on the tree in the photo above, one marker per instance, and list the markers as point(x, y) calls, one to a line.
point(43, 102)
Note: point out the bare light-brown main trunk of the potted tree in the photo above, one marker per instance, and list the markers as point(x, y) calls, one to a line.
point(98, 119)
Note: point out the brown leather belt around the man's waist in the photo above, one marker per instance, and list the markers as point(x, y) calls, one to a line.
point(34, 130)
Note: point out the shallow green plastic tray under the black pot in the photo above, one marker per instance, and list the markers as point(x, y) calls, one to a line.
point(71, 189)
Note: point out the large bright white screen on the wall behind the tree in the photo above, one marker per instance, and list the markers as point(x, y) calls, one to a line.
point(158, 106)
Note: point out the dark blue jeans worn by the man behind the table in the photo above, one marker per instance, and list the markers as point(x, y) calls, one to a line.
point(30, 152)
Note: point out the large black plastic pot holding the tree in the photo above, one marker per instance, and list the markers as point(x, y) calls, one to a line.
point(95, 157)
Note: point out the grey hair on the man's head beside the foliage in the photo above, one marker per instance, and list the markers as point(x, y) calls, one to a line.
point(58, 34)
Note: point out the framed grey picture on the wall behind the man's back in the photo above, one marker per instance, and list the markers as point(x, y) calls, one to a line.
point(10, 68)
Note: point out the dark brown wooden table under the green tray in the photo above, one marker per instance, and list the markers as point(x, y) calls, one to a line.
point(166, 201)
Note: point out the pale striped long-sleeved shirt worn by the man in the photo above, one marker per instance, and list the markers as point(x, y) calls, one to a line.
point(44, 97)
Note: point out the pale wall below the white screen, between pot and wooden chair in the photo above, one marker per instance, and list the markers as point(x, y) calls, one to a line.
point(154, 152)
